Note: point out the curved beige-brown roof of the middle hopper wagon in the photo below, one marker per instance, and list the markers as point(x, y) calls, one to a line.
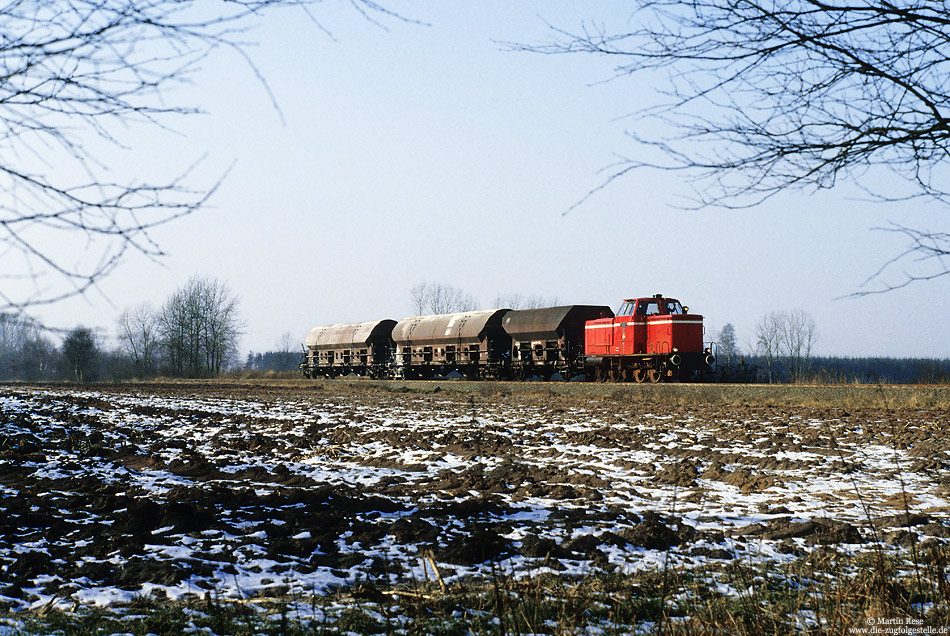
point(467, 327)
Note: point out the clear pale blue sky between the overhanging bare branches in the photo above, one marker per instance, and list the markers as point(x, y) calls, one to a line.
point(430, 153)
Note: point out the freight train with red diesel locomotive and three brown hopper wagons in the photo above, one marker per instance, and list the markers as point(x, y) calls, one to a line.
point(649, 340)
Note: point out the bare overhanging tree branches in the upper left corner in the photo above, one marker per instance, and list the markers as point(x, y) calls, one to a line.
point(76, 79)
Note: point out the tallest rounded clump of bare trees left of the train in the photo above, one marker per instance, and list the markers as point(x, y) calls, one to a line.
point(199, 327)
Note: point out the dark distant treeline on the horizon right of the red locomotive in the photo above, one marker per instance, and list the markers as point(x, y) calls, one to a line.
point(839, 370)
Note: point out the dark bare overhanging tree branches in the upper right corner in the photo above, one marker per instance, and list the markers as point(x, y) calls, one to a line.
point(763, 97)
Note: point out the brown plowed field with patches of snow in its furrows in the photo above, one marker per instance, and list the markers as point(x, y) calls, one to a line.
point(243, 492)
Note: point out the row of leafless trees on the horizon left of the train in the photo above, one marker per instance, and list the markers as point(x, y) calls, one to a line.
point(193, 334)
